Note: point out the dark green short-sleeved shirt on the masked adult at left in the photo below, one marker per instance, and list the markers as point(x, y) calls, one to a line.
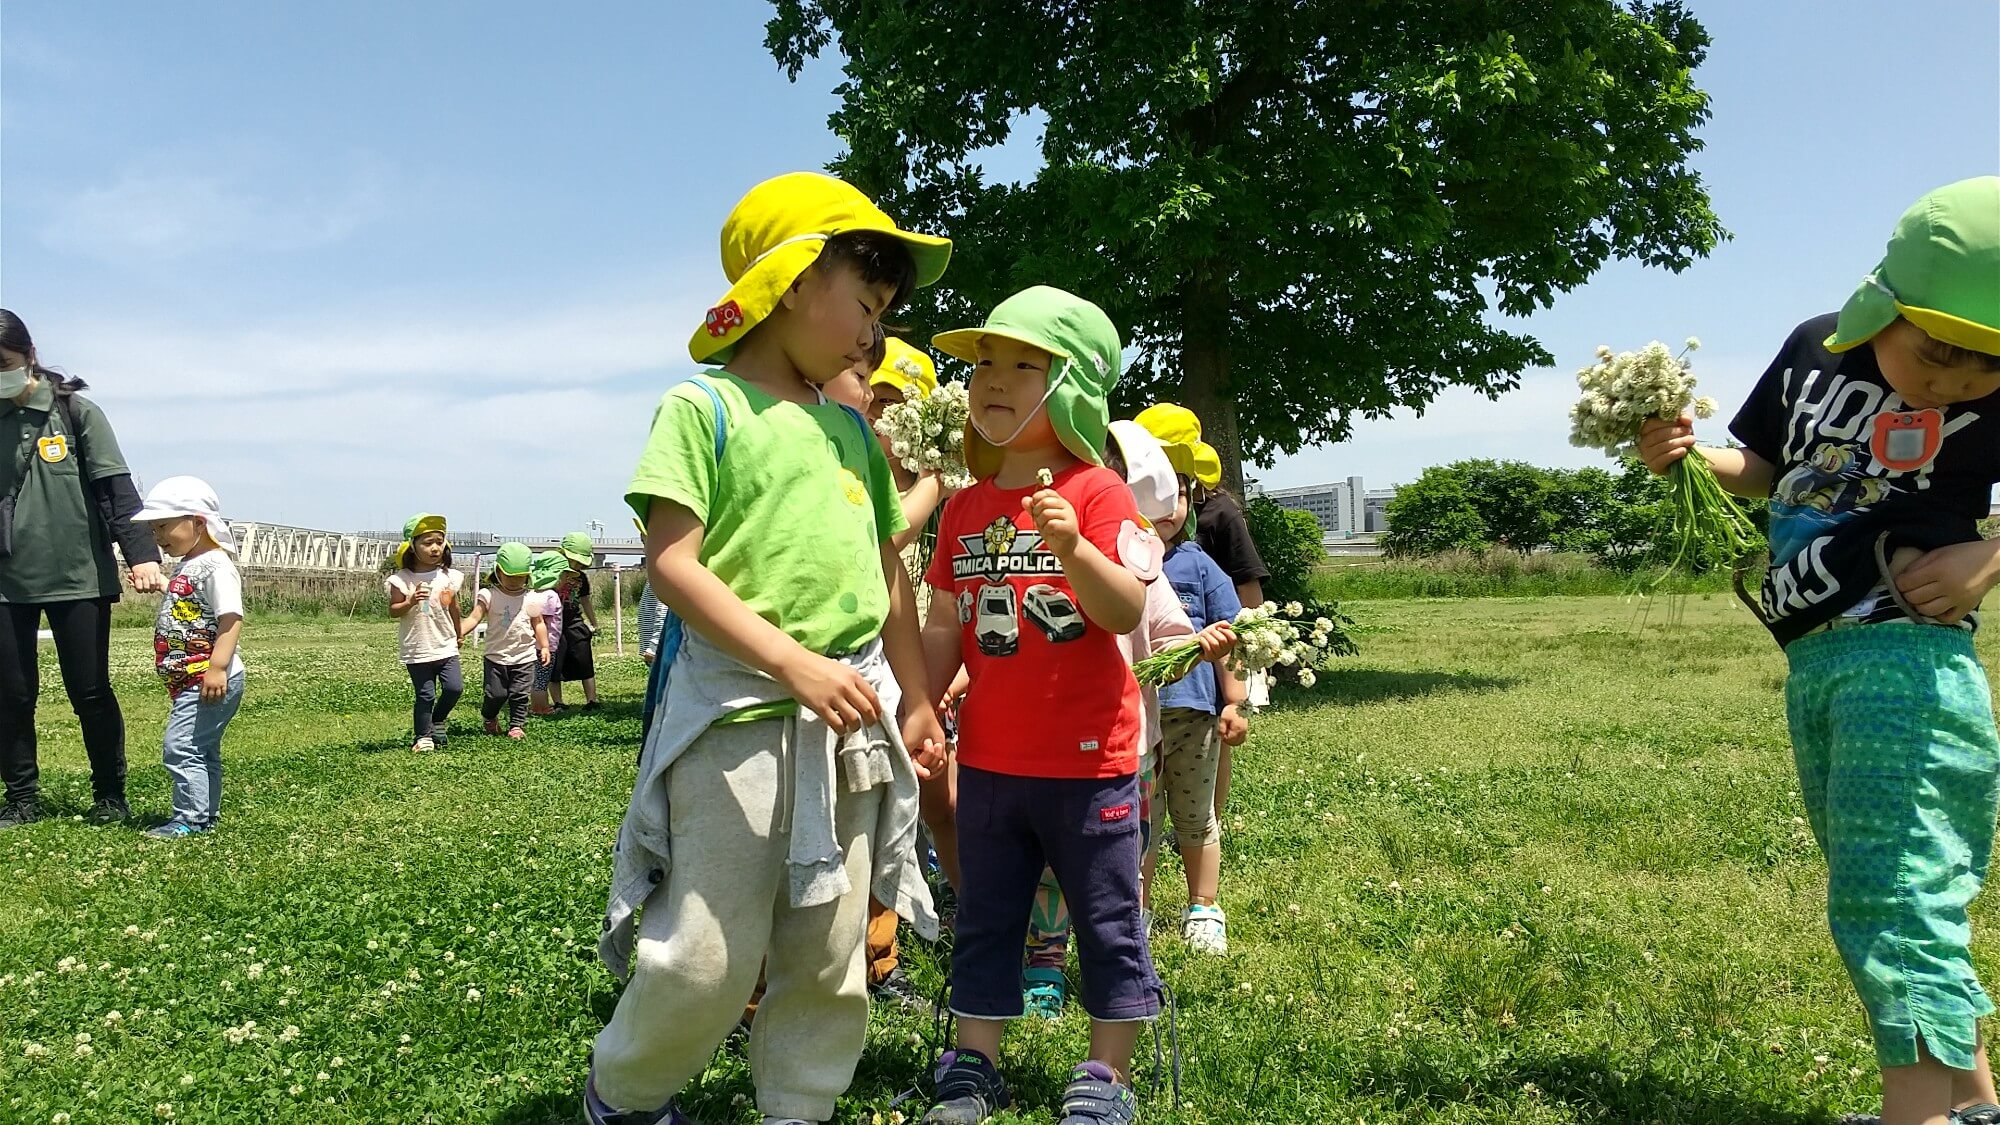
point(63, 551)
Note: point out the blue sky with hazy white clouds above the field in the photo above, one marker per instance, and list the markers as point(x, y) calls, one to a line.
point(355, 261)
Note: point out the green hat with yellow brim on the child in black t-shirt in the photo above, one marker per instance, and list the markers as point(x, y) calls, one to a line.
point(1941, 273)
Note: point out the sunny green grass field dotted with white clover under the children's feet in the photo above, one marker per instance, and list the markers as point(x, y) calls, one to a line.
point(1519, 862)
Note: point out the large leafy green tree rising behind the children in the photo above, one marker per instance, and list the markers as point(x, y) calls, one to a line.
point(1297, 211)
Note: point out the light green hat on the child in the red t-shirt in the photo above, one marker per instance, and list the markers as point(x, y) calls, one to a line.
point(1081, 385)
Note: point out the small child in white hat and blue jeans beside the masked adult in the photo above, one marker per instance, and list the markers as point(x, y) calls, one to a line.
point(197, 648)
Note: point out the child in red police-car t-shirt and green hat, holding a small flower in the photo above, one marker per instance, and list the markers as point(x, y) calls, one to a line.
point(1037, 578)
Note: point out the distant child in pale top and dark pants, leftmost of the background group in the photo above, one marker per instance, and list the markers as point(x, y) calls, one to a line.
point(423, 598)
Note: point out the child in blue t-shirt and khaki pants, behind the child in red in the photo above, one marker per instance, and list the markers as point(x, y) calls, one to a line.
point(1199, 716)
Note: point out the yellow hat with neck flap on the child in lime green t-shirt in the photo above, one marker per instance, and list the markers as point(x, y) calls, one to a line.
point(775, 233)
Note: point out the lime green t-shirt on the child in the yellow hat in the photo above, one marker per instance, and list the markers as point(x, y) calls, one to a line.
point(797, 513)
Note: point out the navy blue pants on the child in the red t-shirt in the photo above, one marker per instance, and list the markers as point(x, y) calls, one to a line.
point(1085, 830)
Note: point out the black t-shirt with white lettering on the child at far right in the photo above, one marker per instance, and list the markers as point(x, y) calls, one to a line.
point(1857, 465)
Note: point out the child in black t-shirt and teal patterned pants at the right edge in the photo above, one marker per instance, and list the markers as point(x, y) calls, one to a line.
point(1877, 437)
